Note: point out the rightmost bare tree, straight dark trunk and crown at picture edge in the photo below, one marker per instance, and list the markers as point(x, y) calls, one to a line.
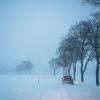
point(94, 40)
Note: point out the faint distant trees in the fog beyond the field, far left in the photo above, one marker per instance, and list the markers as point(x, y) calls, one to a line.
point(25, 67)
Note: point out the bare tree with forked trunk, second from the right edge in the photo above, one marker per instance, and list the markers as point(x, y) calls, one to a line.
point(79, 31)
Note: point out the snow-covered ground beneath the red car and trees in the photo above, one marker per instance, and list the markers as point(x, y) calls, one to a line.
point(26, 87)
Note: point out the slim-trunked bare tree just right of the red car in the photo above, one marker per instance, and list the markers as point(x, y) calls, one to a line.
point(73, 50)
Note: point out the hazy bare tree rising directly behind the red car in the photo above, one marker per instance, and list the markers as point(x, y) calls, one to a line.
point(65, 56)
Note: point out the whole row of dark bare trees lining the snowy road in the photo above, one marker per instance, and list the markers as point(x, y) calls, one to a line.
point(82, 44)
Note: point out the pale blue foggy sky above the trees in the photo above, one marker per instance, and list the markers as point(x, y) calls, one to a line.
point(32, 29)
